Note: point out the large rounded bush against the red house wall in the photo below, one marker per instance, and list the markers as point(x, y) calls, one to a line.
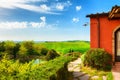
point(98, 58)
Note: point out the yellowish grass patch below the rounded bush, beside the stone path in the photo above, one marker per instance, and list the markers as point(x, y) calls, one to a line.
point(99, 73)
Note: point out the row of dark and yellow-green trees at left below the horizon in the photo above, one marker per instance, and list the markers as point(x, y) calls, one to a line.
point(24, 51)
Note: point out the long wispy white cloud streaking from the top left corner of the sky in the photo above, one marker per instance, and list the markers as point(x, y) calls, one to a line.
point(23, 4)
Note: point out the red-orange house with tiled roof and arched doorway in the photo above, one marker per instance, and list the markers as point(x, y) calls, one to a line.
point(105, 31)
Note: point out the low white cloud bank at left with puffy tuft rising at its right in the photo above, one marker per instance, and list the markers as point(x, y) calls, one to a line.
point(21, 25)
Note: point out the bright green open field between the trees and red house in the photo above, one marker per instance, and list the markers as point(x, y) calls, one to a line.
point(65, 46)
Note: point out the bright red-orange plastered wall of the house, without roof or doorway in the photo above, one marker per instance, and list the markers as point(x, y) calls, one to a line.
point(106, 32)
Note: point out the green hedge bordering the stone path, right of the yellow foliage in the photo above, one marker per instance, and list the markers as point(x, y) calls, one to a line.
point(51, 68)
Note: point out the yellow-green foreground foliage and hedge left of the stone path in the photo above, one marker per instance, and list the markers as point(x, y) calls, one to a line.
point(51, 70)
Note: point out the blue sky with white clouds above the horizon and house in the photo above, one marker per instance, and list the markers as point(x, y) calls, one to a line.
point(49, 20)
